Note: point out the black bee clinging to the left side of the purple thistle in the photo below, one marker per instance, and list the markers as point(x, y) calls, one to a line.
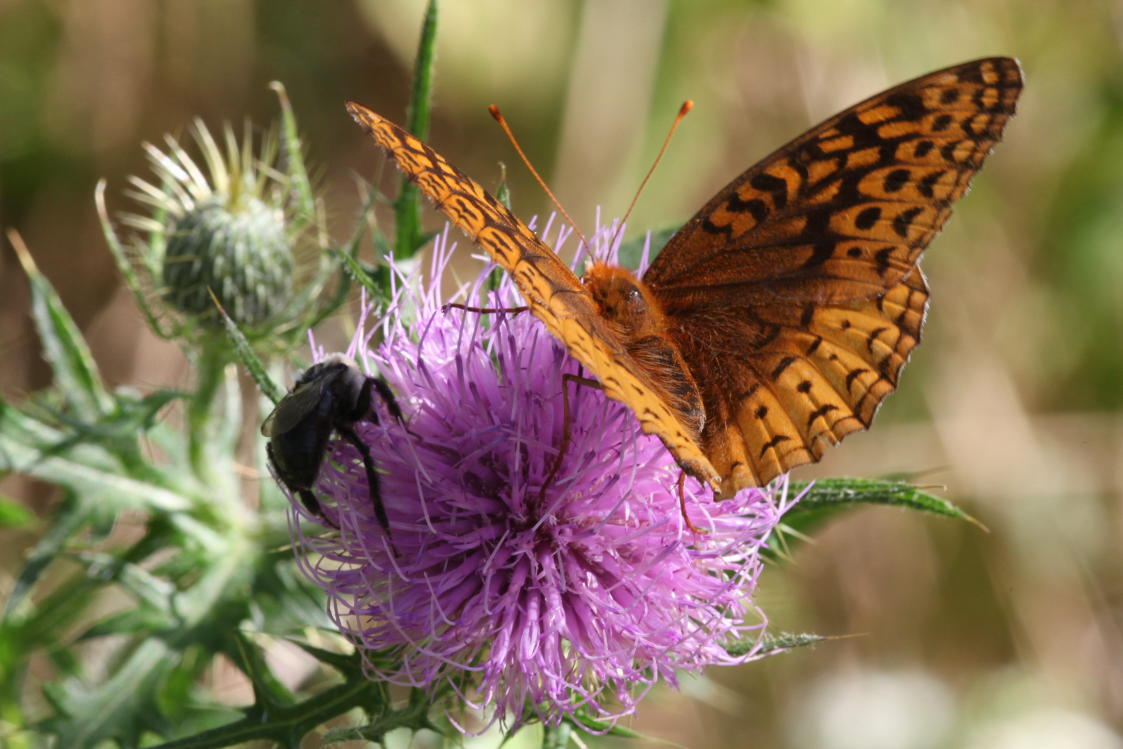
point(331, 396)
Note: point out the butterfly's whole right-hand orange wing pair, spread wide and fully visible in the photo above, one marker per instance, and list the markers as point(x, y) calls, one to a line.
point(795, 295)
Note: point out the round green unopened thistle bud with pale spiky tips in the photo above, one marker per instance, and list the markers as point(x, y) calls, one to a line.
point(226, 226)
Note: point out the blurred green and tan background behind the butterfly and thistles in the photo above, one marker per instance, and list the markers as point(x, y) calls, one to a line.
point(963, 638)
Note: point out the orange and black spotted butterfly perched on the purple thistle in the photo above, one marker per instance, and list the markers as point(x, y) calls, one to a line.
point(779, 318)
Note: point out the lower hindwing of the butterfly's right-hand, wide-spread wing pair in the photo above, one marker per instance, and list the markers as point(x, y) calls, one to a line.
point(821, 374)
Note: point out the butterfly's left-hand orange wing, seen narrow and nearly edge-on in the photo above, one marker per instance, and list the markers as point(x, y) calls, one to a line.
point(552, 290)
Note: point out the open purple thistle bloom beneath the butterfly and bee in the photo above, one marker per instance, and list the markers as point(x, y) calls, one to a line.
point(527, 596)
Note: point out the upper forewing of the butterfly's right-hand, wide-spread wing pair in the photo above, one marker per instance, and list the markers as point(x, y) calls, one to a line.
point(845, 211)
